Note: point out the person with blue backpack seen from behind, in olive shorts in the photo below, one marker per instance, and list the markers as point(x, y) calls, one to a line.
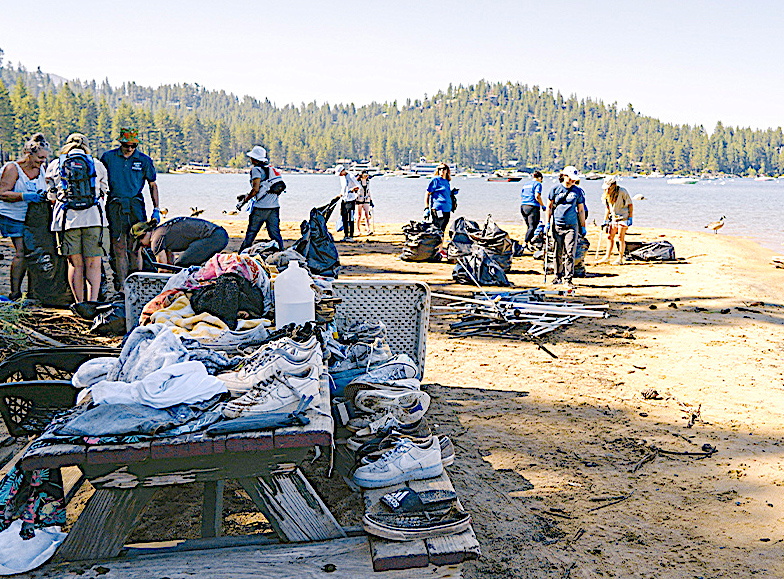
point(78, 184)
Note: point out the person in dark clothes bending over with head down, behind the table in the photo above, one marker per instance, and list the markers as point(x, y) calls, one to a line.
point(196, 239)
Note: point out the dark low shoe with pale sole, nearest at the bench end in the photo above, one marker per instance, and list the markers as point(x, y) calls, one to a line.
point(411, 526)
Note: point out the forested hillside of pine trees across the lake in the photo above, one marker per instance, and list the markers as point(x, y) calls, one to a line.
point(482, 126)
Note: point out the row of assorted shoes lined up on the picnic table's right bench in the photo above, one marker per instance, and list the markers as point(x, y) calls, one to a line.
point(378, 398)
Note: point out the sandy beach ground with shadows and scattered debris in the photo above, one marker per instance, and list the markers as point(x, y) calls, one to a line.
point(546, 448)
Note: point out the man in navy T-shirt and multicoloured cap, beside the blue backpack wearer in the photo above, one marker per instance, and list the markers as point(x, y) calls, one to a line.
point(128, 170)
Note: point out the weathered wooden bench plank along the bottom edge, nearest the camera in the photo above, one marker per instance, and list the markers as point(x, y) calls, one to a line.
point(338, 558)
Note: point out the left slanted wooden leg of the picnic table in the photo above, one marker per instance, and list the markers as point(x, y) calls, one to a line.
point(105, 524)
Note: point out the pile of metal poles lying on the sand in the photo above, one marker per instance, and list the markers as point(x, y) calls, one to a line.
point(520, 314)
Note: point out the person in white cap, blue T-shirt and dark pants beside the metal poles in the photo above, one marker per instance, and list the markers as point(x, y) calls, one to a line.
point(566, 214)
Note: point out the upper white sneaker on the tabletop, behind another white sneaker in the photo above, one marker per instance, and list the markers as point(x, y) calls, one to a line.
point(292, 355)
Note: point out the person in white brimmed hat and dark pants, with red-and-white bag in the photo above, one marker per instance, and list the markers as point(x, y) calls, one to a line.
point(266, 185)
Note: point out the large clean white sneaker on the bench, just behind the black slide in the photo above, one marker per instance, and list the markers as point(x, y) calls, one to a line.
point(405, 462)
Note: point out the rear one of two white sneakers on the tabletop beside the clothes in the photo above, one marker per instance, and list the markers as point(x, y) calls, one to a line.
point(297, 363)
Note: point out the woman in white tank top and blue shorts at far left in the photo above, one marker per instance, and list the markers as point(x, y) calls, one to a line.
point(21, 182)
